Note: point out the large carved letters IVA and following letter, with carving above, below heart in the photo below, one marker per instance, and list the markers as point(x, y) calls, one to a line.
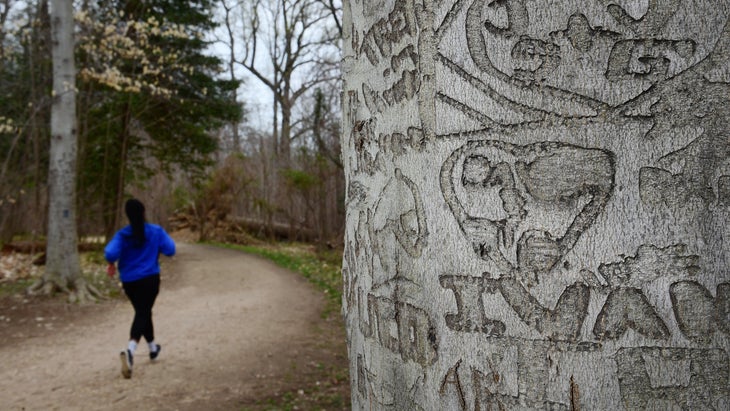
point(626, 306)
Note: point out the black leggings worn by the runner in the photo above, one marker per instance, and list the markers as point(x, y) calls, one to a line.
point(142, 293)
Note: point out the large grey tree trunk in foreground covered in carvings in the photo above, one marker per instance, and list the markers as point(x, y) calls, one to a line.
point(538, 204)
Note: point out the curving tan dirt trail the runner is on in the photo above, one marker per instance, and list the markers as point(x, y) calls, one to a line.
point(230, 326)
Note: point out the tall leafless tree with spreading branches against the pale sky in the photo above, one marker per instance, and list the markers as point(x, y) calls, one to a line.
point(290, 47)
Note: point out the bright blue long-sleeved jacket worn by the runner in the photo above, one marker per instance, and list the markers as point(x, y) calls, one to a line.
point(136, 262)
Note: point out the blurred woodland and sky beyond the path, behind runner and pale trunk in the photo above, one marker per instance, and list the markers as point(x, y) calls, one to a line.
point(217, 114)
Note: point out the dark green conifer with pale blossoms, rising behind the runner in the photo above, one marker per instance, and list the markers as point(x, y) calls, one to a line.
point(150, 91)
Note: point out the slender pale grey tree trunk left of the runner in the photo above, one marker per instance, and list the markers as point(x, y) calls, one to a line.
point(62, 264)
